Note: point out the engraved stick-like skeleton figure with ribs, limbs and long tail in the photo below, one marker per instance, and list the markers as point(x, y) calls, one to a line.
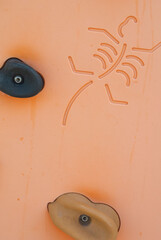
point(116, 60)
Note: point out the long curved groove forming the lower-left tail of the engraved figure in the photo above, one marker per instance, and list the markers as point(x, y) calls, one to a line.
point(73, 99)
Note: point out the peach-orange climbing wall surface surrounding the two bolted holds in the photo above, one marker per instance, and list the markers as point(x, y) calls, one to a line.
point(91, 130)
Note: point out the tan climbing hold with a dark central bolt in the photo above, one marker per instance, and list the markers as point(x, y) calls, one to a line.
point(83, 219)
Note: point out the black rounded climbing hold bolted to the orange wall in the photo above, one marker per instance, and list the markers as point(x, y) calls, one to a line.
point(18, 79)
